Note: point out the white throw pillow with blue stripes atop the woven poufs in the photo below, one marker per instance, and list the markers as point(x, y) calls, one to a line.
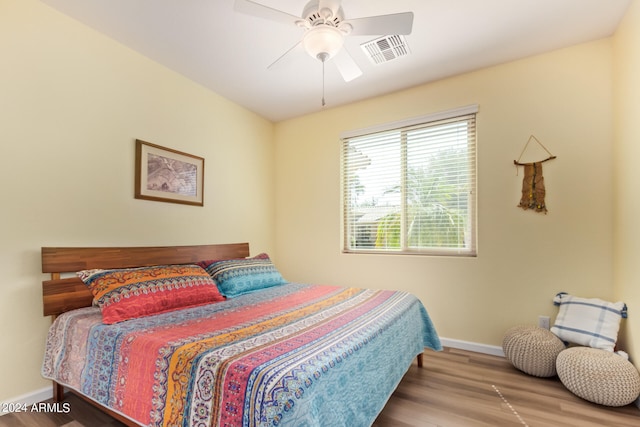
point(589, 322)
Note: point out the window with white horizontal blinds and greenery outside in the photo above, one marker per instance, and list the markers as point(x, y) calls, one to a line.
point(409, 187)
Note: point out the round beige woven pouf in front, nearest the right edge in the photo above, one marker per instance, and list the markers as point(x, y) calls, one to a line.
point(598, 376)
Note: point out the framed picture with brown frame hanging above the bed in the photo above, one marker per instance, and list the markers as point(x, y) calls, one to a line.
point(167, 175)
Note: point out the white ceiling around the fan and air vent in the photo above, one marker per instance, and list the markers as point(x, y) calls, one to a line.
point(229, 52)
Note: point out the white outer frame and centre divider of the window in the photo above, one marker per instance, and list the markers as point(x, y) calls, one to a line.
point(470, 249)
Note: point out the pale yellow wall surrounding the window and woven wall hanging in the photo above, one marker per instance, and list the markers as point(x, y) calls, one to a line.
point(524, 258)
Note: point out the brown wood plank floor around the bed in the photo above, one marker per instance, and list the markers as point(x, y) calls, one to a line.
point(454, 388)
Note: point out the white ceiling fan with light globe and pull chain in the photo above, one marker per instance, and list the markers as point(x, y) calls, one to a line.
point(326, 27)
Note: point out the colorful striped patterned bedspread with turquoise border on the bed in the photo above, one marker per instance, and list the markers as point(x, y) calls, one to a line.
point(295, 355)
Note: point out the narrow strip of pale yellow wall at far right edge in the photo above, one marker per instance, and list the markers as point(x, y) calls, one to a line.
point(626, 157)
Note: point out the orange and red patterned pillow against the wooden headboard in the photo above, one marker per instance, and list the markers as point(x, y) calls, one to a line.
point(129, 293)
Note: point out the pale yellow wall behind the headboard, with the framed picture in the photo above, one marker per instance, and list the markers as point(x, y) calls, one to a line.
point(72, 103)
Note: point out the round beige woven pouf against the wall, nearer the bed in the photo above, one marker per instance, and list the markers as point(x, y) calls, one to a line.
point(532, 350)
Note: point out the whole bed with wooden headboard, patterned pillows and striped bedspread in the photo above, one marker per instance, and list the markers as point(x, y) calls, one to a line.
point(273, 354)
